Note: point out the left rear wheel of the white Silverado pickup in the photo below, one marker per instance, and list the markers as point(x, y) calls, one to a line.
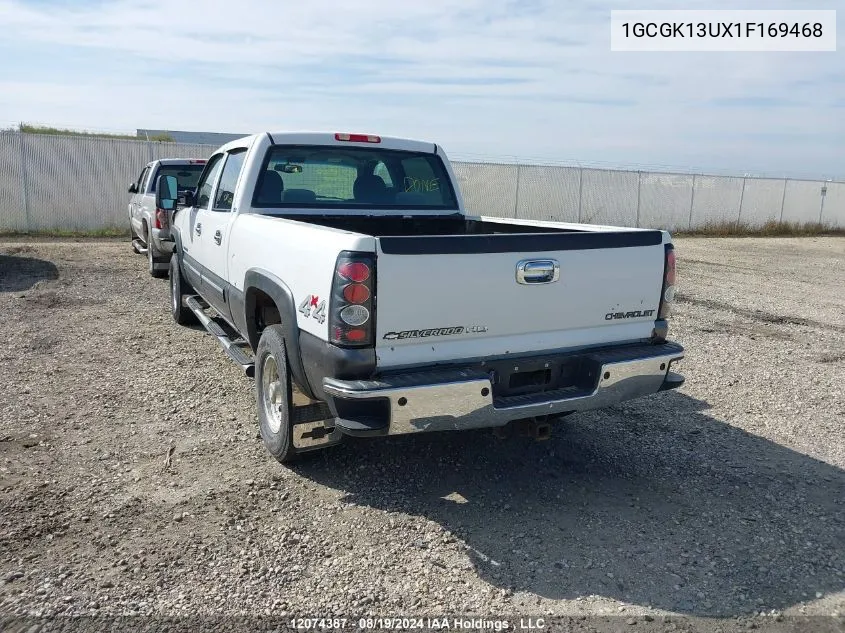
point(273, 394)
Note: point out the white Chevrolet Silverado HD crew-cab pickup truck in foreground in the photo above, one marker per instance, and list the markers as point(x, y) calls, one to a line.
point(345, 265)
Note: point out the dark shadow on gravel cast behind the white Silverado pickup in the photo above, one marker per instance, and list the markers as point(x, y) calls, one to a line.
point(652, 503)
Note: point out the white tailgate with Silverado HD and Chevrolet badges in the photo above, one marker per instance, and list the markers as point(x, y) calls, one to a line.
point(444, 298)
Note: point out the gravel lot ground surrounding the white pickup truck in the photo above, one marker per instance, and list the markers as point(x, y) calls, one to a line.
point(720, 503)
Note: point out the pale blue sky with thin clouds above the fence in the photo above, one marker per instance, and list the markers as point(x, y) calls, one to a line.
point(485, 79)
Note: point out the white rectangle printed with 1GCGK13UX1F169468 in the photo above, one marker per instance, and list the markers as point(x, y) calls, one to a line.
point(729, 30)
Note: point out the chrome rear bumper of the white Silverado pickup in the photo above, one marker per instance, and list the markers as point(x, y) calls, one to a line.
point(459, 399)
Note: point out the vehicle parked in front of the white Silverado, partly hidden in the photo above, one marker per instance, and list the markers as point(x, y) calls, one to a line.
point(149, 225)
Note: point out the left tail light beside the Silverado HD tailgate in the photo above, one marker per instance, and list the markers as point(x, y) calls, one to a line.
point(351, 320)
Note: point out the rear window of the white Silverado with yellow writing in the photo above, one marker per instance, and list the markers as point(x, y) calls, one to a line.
point(350, 177)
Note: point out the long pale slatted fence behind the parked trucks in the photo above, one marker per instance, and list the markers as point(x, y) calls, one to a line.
point(70, 183)
